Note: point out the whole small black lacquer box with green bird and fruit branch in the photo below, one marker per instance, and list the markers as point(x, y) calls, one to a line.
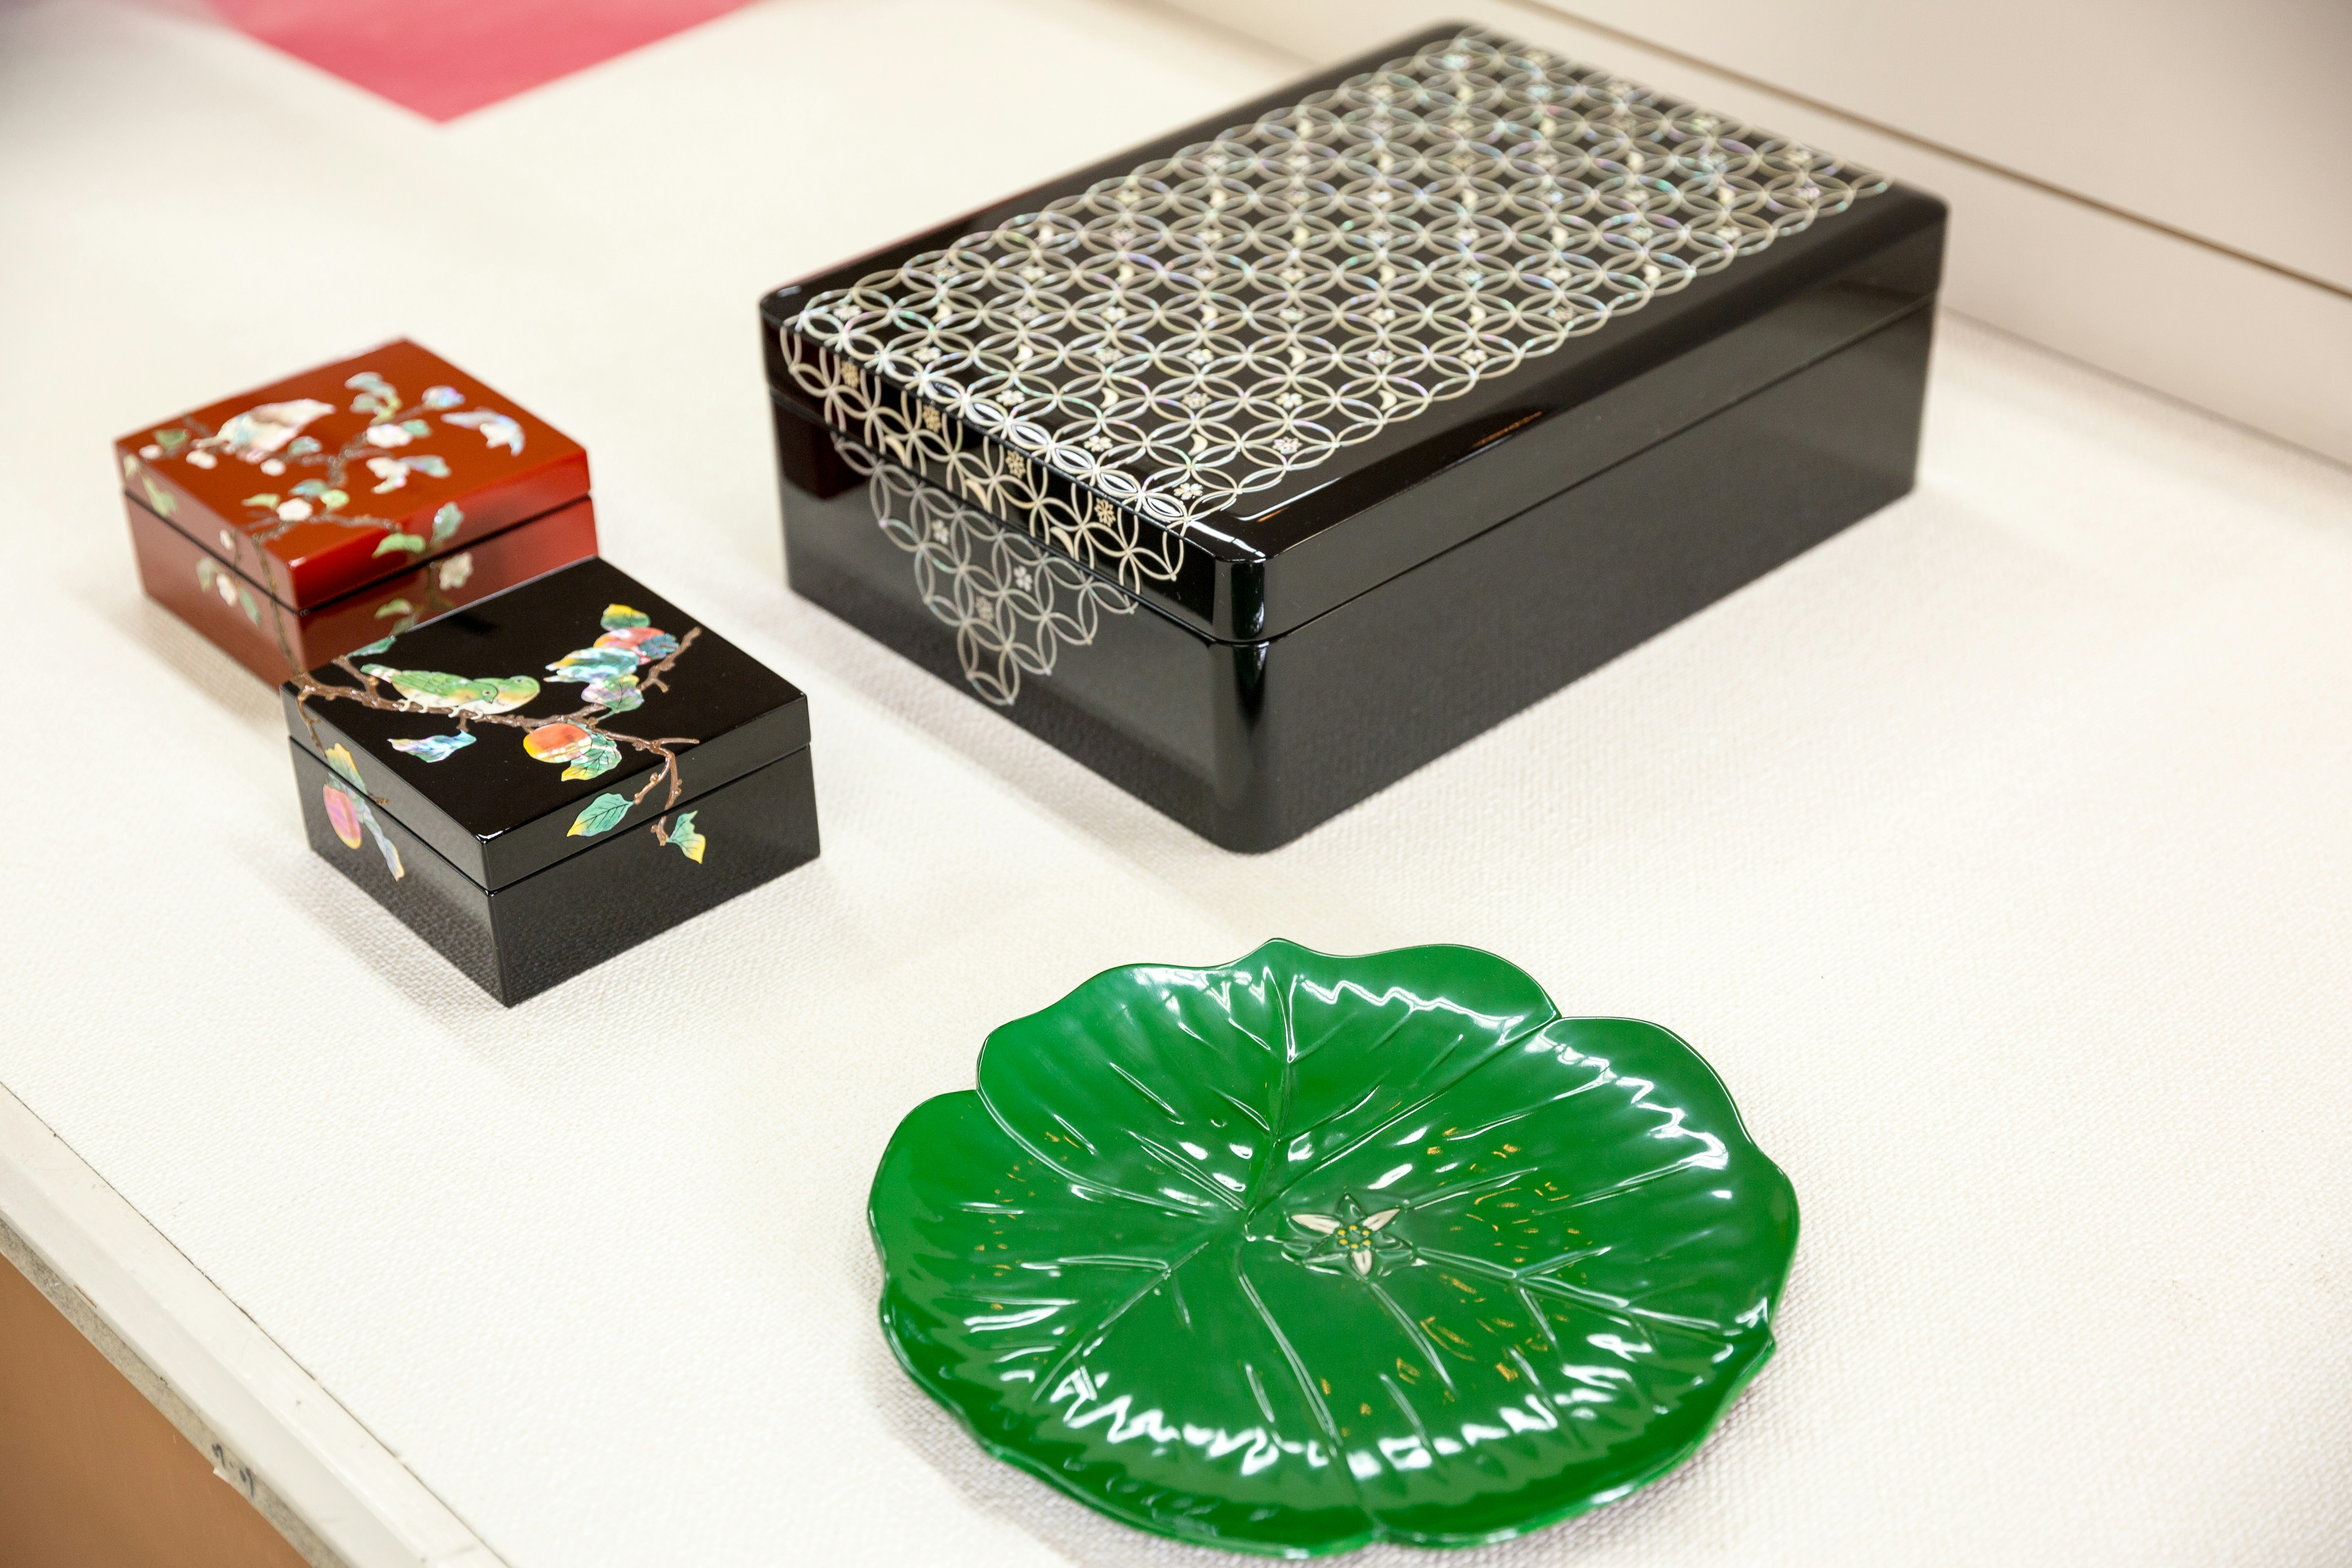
point(554, 775)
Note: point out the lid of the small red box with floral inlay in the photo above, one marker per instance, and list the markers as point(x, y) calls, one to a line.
point(354, 471)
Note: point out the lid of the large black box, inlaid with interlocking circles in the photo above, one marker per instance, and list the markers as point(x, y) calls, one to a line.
point(1189, 366)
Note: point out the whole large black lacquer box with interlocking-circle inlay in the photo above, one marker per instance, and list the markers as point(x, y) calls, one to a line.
point(1269, 462)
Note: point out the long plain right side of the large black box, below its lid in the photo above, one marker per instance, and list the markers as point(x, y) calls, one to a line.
point(1398, 678)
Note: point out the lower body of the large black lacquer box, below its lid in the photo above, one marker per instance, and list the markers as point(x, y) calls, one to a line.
point(1255, 744)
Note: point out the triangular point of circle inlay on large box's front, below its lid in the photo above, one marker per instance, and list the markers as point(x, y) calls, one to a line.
point(1010, 601)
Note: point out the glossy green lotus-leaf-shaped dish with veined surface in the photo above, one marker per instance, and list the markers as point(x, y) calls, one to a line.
point(1309, 1252)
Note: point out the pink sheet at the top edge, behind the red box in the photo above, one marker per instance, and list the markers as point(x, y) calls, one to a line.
point(446, 58)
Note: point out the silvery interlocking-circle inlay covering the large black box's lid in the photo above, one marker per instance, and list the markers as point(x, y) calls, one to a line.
point(1222, 319)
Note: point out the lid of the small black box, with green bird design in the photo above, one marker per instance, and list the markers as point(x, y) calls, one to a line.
point(540, 721)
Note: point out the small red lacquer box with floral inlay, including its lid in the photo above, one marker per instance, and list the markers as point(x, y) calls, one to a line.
point(321, 514)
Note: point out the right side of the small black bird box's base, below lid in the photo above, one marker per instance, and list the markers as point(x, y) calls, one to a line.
point(634, 887)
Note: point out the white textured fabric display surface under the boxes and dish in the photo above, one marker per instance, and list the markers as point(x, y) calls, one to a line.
point(1998, 855)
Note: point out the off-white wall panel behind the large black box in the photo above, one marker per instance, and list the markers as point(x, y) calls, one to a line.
point(2158, 187)
